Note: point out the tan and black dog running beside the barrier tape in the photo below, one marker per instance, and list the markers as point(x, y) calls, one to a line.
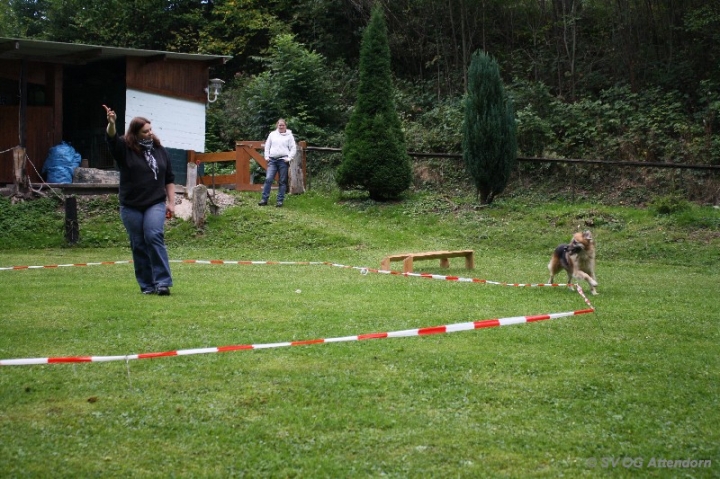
point(577, 258)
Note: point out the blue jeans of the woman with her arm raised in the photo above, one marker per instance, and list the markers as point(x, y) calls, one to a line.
point(146, 230)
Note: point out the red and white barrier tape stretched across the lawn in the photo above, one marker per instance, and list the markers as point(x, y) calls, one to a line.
point(451, 328)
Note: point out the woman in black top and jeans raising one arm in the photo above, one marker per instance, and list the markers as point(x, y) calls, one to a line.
point(147, 197)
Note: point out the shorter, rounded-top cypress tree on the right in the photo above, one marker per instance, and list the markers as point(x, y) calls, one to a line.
point(489, 129)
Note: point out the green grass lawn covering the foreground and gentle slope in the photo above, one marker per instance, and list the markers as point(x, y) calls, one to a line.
point(638, 379)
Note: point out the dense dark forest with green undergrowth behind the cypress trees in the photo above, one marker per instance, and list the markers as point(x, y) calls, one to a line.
point(628, 80)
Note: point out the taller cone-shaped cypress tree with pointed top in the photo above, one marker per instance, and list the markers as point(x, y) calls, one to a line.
point(374, 154)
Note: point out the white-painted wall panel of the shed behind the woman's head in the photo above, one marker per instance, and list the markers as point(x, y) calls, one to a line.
point(178, 123)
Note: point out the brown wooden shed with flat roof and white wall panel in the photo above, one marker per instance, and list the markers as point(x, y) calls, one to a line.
point(53, 92)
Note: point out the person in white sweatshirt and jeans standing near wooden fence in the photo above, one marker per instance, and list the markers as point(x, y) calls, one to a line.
point(279, 151)
